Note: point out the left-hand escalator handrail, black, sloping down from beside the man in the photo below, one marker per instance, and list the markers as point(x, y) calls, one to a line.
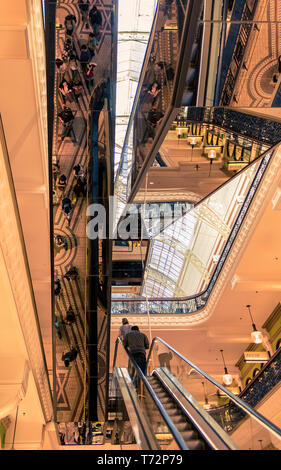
point(176, 434)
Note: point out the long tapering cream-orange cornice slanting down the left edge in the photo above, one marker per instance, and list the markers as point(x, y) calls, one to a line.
point(14, 253)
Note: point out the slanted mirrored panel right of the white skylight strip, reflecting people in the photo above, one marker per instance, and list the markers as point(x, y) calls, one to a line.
point(157, 89)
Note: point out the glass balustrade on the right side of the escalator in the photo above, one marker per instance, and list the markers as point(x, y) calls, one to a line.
point(248, 429)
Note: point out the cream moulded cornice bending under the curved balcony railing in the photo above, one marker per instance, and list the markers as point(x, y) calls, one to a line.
point(258, 205)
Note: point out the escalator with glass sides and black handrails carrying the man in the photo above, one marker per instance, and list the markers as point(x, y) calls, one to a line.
point(164, 415)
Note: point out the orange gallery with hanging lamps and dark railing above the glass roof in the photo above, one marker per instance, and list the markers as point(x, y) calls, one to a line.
point(203, 149)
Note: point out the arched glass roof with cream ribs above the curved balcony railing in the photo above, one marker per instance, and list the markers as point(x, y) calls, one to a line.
point(183, 256)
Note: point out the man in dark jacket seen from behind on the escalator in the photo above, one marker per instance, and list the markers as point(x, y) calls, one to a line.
point(137, 343)
